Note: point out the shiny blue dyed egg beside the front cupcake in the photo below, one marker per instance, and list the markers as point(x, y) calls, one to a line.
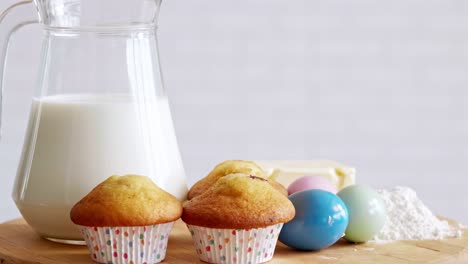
point(321, 219)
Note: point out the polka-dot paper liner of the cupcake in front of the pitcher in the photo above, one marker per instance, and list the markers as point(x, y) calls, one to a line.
point(127, 245)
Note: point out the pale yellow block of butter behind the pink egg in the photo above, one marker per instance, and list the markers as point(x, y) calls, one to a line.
point(287, 171)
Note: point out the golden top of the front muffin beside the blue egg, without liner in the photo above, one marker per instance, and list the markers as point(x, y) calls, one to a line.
point(238, 201)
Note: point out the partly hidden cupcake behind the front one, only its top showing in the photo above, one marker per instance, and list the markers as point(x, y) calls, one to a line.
point(229, 167)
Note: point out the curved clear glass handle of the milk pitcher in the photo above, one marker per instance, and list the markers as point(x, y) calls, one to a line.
point(11, 20)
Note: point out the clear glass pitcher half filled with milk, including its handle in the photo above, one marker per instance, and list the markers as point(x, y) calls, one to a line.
point(99, 109)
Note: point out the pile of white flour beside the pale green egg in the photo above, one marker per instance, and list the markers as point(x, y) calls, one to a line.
point(409, 219)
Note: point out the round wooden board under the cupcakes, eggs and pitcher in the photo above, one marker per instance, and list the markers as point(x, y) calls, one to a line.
point(19, 244)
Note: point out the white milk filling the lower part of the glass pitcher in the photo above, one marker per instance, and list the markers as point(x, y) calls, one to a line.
point(76, 141)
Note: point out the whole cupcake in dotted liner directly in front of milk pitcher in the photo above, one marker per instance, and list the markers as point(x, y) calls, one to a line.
point(126, 219)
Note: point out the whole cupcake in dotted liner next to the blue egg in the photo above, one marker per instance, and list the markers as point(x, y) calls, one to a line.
point(237, 220)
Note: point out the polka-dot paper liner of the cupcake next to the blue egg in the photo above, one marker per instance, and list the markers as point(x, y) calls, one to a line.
point(240, 246)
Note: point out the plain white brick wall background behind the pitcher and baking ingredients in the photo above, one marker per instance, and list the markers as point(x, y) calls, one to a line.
point(379, 85)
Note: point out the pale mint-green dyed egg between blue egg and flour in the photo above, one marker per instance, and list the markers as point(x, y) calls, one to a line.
point(366, 210)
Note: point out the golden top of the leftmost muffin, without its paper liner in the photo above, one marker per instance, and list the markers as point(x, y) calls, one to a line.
point(129, 200)
